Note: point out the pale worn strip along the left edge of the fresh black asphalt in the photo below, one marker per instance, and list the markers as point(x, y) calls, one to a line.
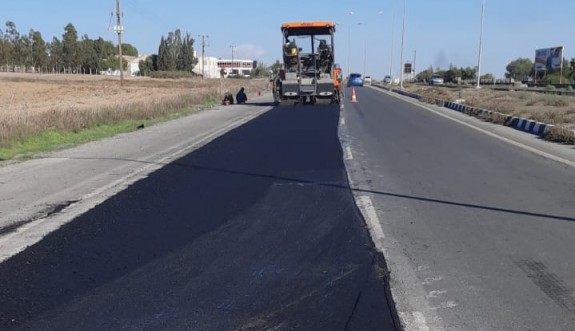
point(35, 231)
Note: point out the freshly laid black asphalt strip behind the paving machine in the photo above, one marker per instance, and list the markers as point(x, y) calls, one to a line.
point(257, 229)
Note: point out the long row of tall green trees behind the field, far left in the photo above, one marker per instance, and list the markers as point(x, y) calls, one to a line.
point(30, 53)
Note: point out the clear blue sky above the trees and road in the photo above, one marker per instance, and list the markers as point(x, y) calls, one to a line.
point(369, 34)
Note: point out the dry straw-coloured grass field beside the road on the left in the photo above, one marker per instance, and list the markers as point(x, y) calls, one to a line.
point(31, 104)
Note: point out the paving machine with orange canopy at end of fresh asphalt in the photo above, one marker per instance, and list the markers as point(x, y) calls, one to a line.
point(309, 71)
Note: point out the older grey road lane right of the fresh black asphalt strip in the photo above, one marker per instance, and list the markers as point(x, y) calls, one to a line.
point(476, 222)
